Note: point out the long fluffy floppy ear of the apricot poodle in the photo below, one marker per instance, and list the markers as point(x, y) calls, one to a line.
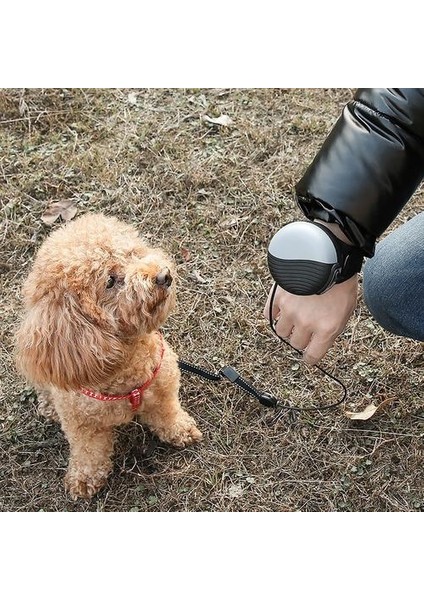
point(56, 344)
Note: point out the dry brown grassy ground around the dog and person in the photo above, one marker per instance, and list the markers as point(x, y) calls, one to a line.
point(212, 196)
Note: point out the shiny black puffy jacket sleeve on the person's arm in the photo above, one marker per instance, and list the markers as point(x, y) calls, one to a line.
point(370, 164)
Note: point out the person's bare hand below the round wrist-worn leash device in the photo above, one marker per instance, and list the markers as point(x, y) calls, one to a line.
point(312, 323)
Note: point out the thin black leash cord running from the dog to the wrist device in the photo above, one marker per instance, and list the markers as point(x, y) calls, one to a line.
point(264, 398)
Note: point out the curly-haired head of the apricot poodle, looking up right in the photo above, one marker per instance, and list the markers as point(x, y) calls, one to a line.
point(94, 287)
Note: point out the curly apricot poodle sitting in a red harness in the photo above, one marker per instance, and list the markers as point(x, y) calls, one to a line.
point(89, 341)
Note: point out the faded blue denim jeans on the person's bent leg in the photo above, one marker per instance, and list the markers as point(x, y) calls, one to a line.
point(394, 280)
